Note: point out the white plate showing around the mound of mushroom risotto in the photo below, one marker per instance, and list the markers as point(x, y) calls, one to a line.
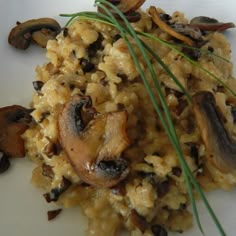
point(22, 207)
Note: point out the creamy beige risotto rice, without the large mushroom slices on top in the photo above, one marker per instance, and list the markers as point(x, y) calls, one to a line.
point(154, 193)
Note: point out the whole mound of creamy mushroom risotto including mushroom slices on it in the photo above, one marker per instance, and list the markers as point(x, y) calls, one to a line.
point(97, 140)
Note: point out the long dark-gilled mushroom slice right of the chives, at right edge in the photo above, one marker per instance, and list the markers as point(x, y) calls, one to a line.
point(220, 146)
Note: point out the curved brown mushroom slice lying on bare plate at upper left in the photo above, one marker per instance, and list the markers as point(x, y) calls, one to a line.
point(40, 30)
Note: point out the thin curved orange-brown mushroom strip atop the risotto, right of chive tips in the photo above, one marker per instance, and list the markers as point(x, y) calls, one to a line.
point(168, 29)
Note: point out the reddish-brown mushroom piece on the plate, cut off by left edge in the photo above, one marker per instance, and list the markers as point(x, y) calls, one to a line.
point(14, 120)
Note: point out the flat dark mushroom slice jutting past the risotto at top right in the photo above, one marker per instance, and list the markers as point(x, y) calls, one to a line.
point(210, 24)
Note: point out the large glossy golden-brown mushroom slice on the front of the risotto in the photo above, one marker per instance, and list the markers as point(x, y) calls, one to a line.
point(94, 145)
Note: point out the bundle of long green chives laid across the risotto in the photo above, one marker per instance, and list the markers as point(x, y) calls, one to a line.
point(166, 121)
